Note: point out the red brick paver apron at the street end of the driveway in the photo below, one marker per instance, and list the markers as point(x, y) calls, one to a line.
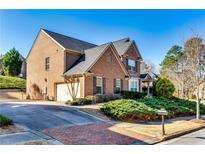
point(91, 134)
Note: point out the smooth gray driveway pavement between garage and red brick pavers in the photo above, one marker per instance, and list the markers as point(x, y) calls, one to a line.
point(39, 117)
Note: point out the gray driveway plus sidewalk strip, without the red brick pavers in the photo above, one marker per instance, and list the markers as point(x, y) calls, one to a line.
point(34, 118)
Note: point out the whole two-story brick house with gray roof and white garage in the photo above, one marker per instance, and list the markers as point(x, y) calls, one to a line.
point(62, 68)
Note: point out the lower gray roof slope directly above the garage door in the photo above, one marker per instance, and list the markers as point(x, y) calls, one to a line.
point(87, 60)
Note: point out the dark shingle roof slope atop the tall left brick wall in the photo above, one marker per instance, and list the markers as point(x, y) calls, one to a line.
point(69, 42)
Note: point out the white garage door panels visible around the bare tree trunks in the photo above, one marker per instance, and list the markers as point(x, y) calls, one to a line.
point(63, 92)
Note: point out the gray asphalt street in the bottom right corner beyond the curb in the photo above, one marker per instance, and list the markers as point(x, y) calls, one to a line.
point(196, 138)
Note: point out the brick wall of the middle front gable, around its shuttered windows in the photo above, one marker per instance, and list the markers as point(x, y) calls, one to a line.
point(110, 70)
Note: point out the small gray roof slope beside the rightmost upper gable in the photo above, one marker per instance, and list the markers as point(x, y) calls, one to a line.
point(122, 45)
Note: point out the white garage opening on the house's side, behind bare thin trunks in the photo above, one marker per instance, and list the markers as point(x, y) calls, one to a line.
point(64, 91)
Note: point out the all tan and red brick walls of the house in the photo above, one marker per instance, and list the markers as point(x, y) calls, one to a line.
point(39, 79)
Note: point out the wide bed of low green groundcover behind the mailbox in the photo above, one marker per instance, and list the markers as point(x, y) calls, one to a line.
point(146, 109)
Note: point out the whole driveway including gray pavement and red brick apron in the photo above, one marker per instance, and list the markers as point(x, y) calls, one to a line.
point(58, 124)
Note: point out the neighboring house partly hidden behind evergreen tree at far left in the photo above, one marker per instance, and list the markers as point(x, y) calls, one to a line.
point(23, 67)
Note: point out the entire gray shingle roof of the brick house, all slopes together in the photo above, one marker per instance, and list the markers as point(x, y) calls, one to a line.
point(90, 52)
